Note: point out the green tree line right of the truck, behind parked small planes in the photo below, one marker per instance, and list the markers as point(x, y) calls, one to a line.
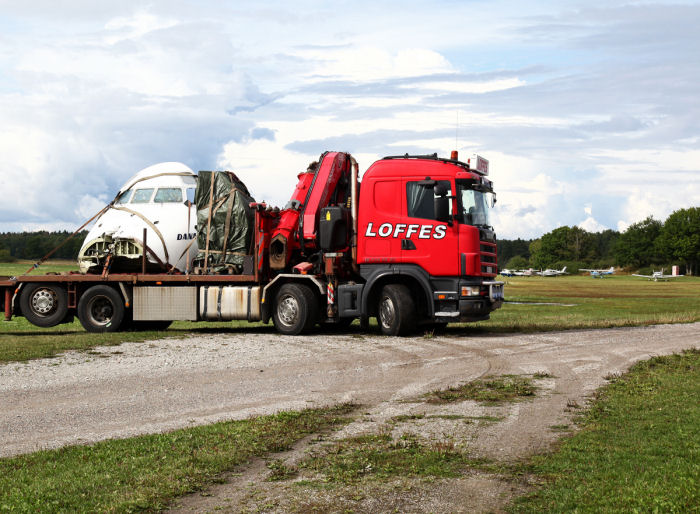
point(646, 244)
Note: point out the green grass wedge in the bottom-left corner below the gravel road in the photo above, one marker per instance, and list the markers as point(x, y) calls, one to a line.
point(147, 472)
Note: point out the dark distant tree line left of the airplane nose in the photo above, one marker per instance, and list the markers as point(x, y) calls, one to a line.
point(35, 245)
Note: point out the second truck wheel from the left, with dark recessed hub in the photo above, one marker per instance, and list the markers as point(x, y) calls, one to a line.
point(101, 309)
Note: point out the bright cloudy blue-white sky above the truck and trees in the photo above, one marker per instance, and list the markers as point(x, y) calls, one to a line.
point(589, 112)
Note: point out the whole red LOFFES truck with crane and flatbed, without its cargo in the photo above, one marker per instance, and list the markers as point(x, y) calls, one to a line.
point(410, 245)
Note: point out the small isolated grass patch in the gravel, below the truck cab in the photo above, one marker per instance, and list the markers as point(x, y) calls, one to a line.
point(489, 390)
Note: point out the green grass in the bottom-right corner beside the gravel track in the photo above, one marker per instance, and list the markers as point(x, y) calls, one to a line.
point(638, 450)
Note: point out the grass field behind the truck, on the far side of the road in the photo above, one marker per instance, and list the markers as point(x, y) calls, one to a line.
point(534, 304)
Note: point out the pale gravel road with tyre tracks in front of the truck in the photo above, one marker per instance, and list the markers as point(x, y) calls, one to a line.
point(147, 387)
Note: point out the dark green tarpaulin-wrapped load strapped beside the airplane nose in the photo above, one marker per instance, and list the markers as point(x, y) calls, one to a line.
point(225, 238)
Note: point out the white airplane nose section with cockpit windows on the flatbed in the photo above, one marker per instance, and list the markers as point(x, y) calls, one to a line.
point(159, 199)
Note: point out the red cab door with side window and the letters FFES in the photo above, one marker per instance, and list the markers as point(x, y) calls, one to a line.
point(425, 241)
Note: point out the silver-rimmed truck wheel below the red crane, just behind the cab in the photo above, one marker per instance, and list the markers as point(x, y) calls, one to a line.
point(295, 310)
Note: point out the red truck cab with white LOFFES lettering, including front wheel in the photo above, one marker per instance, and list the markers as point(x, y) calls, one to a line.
point(423, 227)
